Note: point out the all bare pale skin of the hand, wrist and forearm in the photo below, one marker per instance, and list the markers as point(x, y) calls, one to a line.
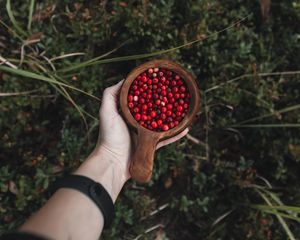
point(69, 214)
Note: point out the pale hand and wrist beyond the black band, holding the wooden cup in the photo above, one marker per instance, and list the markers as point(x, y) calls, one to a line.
point(110, 160)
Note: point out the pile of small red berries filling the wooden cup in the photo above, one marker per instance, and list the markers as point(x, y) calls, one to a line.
point(158, 99)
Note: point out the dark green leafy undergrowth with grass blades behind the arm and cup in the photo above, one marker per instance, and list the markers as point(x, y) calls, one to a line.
point(58, 56)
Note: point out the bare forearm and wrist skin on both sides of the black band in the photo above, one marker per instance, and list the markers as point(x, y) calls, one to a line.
point(70, 214)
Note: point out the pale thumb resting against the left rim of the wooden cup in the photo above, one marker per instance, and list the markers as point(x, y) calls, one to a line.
point(109, 100)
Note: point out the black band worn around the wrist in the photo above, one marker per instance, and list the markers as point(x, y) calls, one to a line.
point(94, 190)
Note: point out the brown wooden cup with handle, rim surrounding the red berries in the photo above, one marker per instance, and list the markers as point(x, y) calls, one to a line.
point(142, 161)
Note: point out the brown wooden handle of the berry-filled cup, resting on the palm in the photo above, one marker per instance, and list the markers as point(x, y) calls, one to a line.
point(142, 161)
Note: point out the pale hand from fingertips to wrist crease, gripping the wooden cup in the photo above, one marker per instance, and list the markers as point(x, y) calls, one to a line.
point(115, 138)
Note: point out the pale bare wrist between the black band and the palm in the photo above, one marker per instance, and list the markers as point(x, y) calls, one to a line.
point(100, 167)
